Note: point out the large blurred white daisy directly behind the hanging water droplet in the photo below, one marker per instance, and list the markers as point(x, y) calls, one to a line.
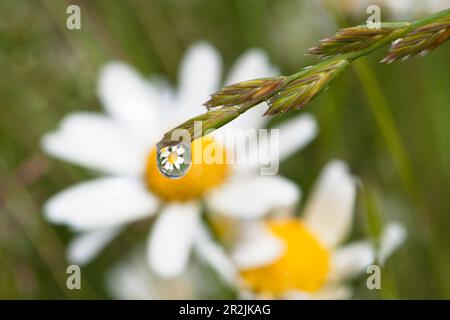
point(120, 144)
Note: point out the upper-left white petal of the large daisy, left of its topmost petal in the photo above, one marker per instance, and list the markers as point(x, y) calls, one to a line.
point(130, 100)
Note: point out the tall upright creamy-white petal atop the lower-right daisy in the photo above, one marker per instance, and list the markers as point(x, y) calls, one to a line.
point(329, 211)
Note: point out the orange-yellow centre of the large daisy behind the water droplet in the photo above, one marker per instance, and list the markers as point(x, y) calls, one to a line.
point(200, 178)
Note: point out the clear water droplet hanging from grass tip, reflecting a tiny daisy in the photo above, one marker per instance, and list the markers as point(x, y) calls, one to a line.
point(174, 161)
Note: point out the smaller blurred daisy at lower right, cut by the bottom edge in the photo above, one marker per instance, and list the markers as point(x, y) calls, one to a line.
point(304, 258)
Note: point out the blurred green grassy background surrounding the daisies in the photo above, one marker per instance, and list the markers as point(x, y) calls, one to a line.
point(389, 122)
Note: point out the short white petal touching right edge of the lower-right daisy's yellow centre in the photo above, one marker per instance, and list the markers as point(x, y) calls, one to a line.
point(349, 261)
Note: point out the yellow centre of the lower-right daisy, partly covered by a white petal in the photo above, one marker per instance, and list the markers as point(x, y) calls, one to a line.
point(303, 266)
